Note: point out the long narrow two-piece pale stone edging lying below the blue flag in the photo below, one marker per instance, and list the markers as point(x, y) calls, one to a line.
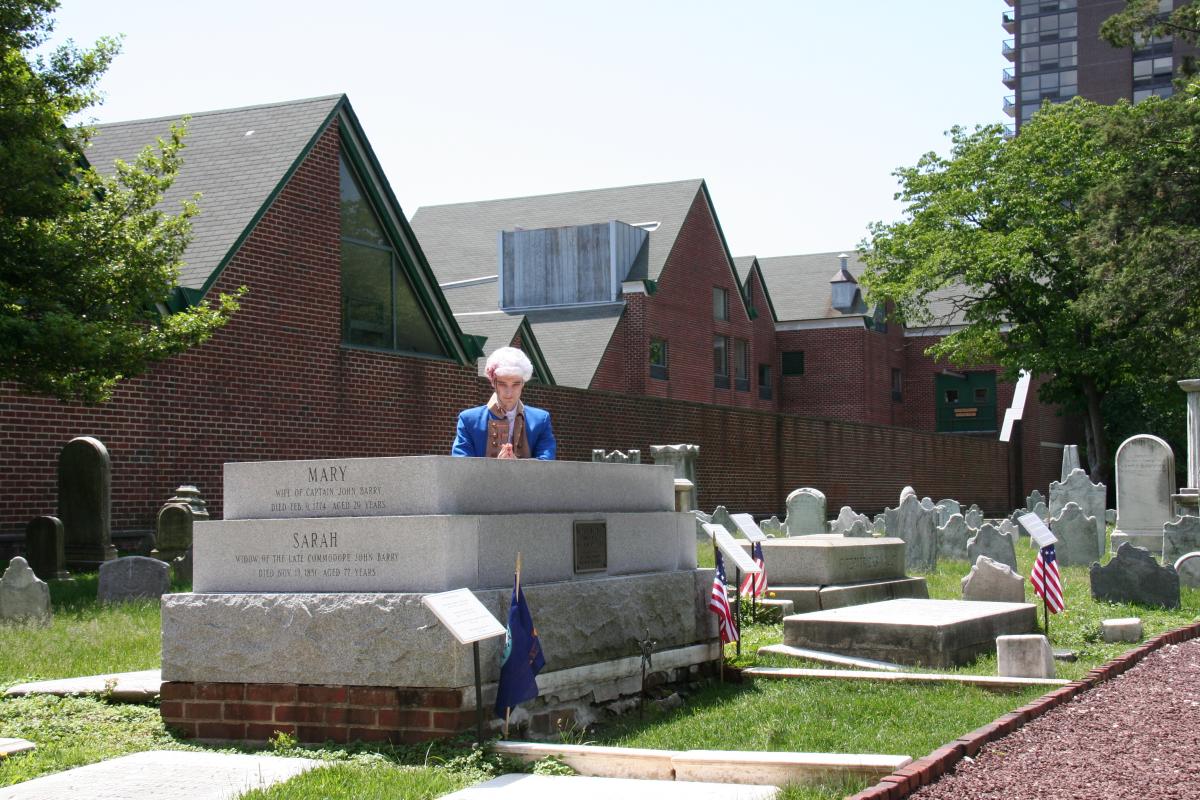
point(707, 766)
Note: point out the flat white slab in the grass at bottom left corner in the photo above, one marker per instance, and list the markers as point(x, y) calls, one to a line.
point(163, 775)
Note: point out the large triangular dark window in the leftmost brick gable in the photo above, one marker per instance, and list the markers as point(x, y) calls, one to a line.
point(380, 308)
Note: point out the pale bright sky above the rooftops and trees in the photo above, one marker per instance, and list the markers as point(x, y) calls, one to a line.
point(795, 112)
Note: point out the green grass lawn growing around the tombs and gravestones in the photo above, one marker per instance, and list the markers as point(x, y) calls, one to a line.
point(802, 715)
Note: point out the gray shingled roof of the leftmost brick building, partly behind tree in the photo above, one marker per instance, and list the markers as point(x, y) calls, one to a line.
point(236, 173)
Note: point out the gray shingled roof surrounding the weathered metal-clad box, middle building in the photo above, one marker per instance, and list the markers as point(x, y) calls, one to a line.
point(460, 244)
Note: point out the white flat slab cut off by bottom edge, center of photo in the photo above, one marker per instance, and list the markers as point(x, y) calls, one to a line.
point(578, 787)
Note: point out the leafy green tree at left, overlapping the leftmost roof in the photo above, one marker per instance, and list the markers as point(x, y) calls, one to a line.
point(87, 261)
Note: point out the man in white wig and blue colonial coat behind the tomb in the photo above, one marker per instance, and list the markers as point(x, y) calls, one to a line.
point(506, 428)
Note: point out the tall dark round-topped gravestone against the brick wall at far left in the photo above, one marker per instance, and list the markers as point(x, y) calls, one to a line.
point(86, 502)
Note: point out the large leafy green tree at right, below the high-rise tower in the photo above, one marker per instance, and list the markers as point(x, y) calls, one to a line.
point(1064, 251)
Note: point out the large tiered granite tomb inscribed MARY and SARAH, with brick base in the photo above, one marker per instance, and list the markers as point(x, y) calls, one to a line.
point(325, 600)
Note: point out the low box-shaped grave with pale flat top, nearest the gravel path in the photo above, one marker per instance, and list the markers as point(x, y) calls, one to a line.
point(931, 633)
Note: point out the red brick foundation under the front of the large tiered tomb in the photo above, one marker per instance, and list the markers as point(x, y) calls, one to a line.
point(314, 713)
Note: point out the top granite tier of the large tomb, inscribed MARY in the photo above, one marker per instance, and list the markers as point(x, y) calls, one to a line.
point(436, 485)
